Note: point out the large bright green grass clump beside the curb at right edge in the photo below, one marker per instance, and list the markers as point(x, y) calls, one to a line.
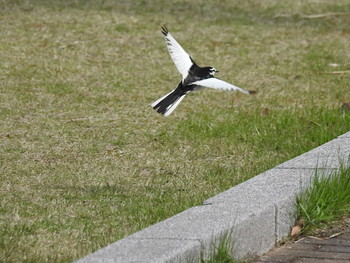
point(327, 200)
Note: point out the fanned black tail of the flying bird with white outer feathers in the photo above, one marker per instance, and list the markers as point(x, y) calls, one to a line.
point(167, 104)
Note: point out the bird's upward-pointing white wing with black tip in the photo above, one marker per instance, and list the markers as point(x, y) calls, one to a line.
point(181, 58)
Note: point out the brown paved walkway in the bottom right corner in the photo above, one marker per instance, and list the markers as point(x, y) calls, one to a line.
point(312, 250)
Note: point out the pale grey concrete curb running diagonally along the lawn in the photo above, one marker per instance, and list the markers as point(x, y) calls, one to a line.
point(256, 214)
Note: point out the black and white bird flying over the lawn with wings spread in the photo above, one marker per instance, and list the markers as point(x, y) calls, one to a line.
point(193, 77)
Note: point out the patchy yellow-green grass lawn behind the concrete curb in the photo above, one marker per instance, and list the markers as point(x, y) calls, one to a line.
point(85, 160)
